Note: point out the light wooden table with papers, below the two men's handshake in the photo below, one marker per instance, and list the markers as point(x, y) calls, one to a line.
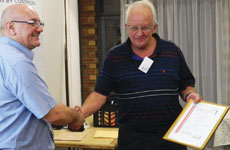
point(89, 141)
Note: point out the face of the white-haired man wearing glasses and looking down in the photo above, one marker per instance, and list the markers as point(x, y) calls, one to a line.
point(140, 18)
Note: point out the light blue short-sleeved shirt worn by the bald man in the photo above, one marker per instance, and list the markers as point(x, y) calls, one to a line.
point(24, 101)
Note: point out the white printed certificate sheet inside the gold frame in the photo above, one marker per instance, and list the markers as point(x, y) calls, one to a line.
point(196, 123)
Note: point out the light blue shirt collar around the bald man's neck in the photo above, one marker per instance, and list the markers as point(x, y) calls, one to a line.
point(27, 52)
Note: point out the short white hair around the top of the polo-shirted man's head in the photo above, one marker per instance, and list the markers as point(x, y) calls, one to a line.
point(145, 3)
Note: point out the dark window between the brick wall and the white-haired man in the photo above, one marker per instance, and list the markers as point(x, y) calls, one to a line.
point(109, 26)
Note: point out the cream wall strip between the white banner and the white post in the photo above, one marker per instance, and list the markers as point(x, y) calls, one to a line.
point(53, 47)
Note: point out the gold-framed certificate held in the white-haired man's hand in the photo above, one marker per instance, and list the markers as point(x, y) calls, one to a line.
point(196, 124)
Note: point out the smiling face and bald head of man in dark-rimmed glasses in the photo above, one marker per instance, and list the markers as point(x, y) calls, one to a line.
point(26, 34)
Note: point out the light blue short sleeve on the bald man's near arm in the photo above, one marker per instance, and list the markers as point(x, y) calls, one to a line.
point(29, 88)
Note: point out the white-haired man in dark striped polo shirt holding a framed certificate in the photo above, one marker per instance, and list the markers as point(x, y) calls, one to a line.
point(148, 74)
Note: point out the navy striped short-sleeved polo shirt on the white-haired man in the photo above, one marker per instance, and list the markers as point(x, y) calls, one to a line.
point(145, 101)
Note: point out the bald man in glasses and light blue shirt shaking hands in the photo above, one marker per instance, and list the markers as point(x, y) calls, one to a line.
point(27, 109)
